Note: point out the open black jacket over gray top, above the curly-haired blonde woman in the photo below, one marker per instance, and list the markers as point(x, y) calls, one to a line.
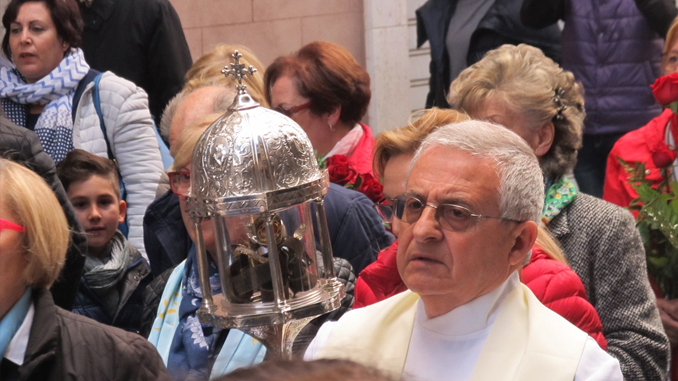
point(500, 25)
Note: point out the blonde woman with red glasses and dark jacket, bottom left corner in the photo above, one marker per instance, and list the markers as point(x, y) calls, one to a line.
point(37, 339)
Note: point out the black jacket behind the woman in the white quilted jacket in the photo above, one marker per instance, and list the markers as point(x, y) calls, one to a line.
point(141, 41)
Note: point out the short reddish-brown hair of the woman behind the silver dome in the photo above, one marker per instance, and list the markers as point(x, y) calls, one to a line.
point(328, 76)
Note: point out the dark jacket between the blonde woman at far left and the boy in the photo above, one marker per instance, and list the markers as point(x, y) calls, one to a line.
point(23, 146)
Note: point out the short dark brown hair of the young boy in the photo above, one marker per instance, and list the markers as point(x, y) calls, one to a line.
point(80, 165)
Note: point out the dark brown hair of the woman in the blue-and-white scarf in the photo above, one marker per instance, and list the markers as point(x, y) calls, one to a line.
point(65, 15)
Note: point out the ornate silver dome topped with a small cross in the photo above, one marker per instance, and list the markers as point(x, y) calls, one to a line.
point(252, 159)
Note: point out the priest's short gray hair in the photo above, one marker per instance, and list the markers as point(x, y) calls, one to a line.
point(521, 184)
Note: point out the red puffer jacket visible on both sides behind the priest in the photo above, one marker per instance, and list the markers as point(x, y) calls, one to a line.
point(555, 284)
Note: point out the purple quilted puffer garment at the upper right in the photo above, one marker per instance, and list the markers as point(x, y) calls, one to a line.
point(611, 48)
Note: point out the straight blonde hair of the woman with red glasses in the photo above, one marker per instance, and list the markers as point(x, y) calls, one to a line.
point(29, 199)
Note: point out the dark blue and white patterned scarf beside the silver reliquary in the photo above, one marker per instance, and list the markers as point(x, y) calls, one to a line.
point(193, 342)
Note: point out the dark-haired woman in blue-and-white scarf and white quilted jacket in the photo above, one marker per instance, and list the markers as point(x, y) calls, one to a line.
point(52, 91)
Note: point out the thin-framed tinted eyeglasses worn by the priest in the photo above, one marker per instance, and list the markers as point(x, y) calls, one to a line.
point(450, 216)
